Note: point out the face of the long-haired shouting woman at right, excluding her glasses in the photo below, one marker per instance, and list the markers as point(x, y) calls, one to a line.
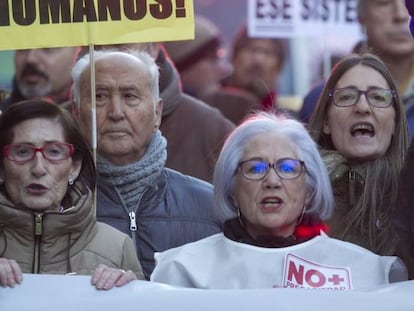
point(361, 132)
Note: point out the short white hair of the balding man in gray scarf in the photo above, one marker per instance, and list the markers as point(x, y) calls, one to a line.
point(84, 63)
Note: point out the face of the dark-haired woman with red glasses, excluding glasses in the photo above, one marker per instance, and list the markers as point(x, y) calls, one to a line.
point(38, 184)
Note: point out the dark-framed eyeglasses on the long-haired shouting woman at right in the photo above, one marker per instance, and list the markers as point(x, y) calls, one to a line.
point(349, 96)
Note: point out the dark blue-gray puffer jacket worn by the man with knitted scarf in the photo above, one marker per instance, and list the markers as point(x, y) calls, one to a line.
point(176, 210)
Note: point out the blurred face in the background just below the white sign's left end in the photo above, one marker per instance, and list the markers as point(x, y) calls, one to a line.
point(257, 66)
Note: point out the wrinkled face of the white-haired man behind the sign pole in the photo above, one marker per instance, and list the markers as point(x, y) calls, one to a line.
point(125, 113)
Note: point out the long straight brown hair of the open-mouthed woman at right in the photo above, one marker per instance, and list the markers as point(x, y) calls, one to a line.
point(379, 193)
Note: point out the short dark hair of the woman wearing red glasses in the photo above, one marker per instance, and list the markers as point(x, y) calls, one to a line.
point(45, 108)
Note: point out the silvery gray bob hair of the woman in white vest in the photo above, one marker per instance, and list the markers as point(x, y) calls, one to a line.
point(317, 178)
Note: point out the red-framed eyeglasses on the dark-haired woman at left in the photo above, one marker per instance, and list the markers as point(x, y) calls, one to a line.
point(22, 153)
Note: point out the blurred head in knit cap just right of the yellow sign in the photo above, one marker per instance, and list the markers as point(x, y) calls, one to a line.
point(201, 62)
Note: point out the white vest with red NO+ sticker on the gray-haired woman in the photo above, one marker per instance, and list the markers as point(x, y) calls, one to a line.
point(325, 263)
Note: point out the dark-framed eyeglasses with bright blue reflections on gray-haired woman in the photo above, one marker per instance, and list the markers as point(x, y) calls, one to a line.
point(285, 168)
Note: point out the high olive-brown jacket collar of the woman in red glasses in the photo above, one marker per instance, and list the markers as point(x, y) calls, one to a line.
point(57, 226)
